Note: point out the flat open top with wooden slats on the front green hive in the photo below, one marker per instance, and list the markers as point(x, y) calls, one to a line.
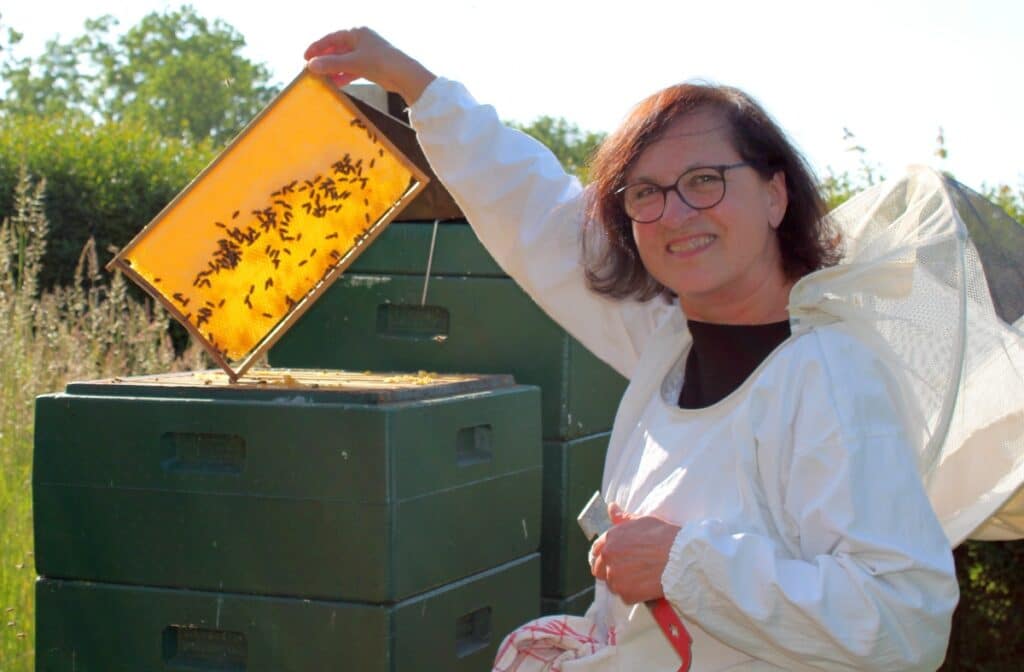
point(297, 385)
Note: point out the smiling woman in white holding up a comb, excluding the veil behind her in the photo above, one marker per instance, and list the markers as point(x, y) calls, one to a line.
point(763, 482)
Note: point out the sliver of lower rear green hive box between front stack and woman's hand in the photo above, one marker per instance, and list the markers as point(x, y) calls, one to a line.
point(572, 475)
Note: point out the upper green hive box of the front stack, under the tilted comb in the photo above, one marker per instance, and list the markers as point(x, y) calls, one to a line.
point(312, 485)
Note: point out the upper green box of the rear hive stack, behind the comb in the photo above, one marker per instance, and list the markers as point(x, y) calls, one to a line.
point(475, 319)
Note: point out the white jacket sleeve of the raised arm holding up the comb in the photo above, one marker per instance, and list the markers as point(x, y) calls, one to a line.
point(530, 216)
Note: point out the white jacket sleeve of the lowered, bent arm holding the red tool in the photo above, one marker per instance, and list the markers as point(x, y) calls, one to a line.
point(860, 575)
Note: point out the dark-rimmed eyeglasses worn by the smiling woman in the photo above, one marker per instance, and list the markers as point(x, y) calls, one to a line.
point(700, 188)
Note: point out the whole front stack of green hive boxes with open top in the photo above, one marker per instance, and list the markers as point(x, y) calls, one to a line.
point(186, 525)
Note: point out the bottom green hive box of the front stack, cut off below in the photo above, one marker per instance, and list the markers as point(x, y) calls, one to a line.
point(93, 627)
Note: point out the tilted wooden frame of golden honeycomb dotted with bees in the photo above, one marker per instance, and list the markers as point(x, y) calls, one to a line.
point(250, 244)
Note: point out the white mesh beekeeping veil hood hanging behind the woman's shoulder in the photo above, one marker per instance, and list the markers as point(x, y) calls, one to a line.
point(933, 276)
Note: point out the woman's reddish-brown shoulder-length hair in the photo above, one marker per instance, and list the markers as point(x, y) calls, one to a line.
point(614, 268)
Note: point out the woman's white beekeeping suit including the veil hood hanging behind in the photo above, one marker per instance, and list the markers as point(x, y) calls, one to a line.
point(848, 568)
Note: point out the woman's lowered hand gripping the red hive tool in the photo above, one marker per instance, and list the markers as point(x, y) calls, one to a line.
point(631, 557)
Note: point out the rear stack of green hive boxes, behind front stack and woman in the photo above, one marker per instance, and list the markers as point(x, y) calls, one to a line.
point(387, 315)
